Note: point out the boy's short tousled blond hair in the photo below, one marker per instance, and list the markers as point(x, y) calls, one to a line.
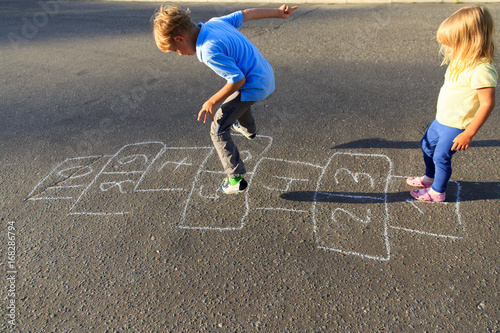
point(170, 21)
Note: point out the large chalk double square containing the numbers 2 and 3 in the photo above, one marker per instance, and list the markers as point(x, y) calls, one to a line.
point(350, 205)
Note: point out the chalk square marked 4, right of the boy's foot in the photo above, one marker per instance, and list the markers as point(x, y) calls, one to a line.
point(276, 179)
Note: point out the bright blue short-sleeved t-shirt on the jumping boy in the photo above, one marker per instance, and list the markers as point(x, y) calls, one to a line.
point(231, 55)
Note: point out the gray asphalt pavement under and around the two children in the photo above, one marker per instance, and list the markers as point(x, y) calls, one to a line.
point(110, 216)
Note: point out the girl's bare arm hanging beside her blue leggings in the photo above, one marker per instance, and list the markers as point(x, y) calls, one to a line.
point(486, 104)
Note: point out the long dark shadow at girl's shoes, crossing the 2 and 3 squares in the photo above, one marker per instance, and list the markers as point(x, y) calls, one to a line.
point(469, 191)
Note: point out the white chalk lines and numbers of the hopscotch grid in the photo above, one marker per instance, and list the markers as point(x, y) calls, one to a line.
point(210, 152)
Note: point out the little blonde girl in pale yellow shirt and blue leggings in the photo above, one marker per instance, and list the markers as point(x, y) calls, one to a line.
point(465, 101)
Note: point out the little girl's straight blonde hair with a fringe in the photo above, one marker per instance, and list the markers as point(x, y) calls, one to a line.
point(468, 33)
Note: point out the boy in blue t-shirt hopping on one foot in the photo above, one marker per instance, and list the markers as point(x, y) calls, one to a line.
point(250, 78)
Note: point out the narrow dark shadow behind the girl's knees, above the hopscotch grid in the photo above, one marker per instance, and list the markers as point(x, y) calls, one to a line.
point(382, 143)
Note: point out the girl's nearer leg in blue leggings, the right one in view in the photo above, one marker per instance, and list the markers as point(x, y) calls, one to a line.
point(442, 156)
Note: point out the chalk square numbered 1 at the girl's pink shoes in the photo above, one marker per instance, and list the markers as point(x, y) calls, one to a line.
point(439, 219)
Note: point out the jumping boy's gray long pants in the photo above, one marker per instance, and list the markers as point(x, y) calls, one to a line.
point(230, 111)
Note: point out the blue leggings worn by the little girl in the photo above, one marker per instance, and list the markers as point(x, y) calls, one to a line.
point(436, 146)
